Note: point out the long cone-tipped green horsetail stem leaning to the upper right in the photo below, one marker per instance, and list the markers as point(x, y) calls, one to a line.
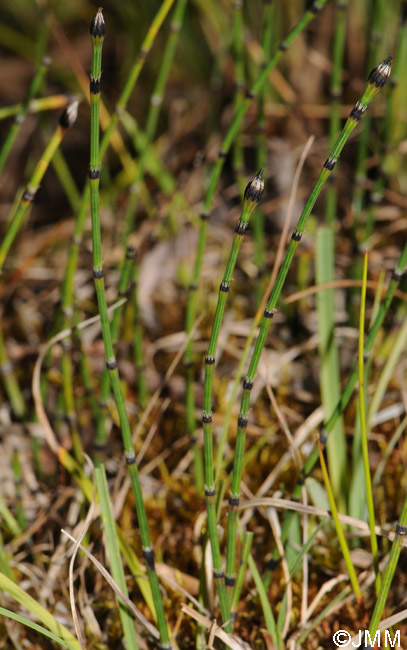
point(376, 81)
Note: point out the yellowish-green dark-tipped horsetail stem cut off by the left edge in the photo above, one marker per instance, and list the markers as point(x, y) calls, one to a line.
point(66, 120)
